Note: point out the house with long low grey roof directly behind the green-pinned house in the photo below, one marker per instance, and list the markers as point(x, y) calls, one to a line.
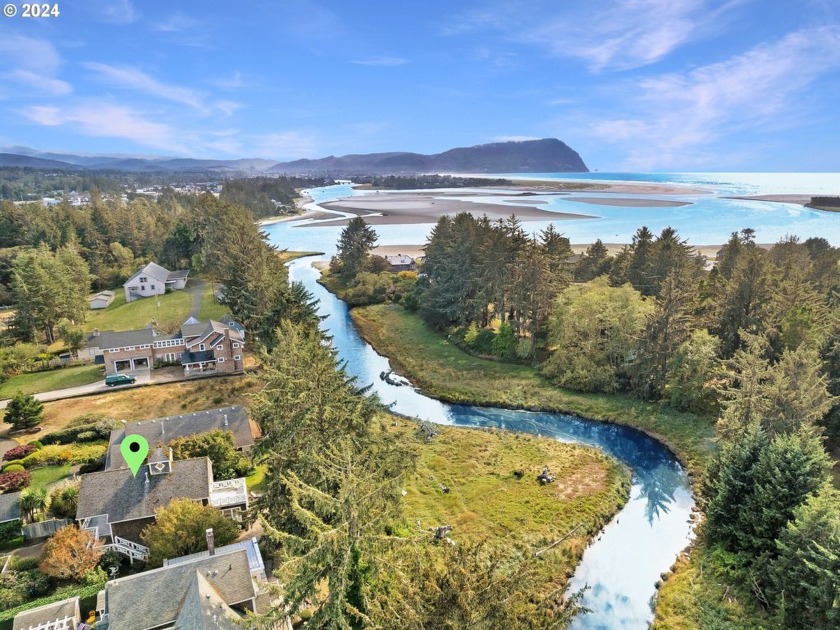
point(164, 430)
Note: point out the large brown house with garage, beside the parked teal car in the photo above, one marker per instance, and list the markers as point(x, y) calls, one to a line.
point(198, 347)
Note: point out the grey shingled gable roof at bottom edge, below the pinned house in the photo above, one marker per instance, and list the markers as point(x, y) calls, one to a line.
point(158, 597)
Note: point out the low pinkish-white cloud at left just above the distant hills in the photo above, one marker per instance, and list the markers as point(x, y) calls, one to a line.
point(107, 120)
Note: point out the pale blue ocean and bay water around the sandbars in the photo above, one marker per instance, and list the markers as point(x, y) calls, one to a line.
point(709, 219)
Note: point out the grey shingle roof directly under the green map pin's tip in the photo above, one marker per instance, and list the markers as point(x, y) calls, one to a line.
point(123, 497)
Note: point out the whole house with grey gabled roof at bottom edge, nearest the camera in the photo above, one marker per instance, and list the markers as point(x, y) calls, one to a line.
point(211, 591)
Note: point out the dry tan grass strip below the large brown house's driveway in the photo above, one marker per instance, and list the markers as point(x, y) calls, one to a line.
point(141, 403)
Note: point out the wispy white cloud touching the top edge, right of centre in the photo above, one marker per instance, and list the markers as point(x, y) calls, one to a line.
point(609, 35)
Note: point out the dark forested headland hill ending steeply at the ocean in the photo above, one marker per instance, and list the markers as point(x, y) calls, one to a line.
point(548, 155)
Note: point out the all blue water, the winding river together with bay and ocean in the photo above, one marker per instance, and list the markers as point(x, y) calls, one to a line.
point(622, 566)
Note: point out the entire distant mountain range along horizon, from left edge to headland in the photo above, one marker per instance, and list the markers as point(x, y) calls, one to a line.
point(548, 155)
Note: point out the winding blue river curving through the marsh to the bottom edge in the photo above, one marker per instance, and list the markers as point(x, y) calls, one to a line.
point(622, 566)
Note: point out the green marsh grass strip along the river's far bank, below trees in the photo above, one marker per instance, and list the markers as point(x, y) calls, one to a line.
point(446, 372)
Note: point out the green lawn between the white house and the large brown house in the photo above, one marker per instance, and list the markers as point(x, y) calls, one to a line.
point(120, 315)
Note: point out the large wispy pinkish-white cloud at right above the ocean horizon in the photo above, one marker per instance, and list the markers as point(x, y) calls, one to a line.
point(672, 117)
